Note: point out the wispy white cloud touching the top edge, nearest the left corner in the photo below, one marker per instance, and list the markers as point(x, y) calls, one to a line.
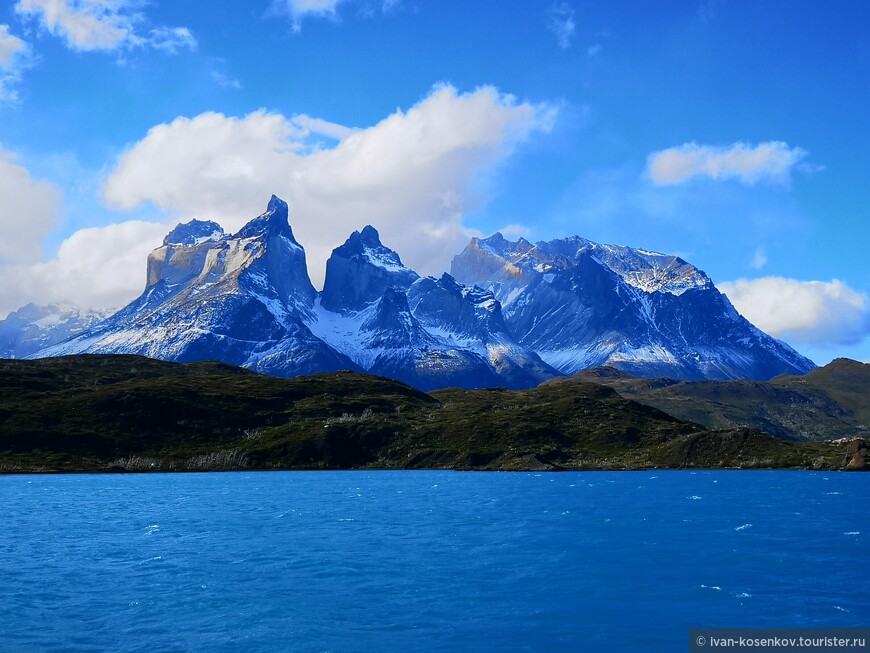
point(102, 25)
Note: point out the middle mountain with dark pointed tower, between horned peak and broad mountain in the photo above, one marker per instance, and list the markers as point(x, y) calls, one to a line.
point(430, 333)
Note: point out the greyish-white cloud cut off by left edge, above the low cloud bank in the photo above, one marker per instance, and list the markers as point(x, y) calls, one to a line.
point(29, 211)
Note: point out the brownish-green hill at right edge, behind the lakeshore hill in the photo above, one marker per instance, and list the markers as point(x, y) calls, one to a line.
point(828, 403)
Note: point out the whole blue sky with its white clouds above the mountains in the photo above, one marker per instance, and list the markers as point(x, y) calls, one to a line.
point(732, 133)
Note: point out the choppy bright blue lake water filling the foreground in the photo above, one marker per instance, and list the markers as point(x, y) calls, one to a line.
point(425, 561)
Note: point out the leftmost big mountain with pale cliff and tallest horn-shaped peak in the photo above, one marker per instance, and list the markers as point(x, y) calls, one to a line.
point(242, 299)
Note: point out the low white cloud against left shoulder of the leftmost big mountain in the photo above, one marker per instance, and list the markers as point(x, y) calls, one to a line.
point(99, 267)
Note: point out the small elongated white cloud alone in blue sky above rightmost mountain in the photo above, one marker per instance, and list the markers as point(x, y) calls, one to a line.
point(770, 162)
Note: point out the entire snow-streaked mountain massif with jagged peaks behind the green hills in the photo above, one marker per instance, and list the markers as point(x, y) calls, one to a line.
point(511, 314)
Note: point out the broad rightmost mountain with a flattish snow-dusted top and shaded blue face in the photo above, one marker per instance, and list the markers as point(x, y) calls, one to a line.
point(580, 304)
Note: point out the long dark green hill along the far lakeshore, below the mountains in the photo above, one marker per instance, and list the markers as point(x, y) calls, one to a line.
point(129, 413)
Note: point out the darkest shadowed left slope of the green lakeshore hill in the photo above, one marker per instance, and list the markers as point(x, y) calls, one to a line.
point(104, 408)
